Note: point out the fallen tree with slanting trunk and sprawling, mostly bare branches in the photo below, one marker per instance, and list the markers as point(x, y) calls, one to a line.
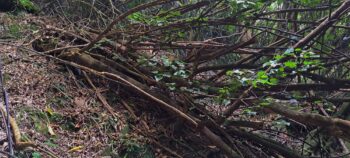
point(206, 78)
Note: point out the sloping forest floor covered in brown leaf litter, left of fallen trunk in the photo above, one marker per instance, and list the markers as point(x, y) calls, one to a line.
point(52, 107)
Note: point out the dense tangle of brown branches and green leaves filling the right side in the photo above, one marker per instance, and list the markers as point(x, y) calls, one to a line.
point(234, 78)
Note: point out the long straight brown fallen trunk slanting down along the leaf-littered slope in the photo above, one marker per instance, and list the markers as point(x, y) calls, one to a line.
point(87, 63)
